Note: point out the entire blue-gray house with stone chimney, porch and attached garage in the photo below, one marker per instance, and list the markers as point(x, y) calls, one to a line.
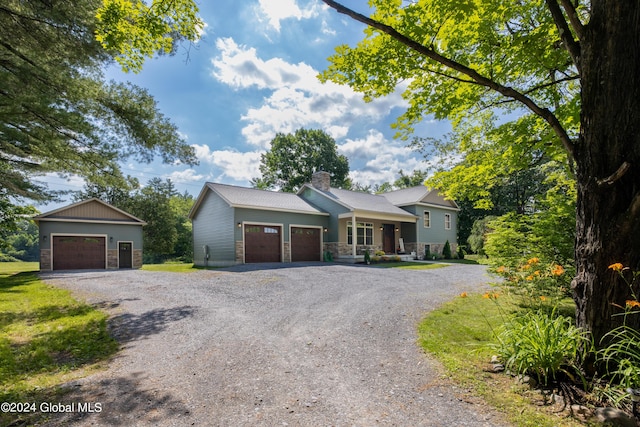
point(236, 225)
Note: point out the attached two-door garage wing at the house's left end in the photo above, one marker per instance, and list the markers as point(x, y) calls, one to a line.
point(235, 225)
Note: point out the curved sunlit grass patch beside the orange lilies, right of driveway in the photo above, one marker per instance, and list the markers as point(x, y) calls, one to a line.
point(460, 334)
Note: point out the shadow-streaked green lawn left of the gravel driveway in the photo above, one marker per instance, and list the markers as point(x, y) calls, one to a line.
point(47, 338)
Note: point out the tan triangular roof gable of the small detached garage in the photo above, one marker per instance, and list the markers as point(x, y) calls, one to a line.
point(89, 210)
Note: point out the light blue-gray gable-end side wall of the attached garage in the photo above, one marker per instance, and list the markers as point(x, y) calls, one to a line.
point(213, 226)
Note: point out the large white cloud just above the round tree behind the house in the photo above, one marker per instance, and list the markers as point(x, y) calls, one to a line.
point(297, 98)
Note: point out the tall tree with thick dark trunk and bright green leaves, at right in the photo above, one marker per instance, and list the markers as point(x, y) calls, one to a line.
point(572, 65)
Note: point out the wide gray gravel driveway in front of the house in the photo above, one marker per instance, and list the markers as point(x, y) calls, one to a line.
point(302, 344)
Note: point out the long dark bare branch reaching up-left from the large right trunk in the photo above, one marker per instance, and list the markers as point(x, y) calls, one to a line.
point(506, 91)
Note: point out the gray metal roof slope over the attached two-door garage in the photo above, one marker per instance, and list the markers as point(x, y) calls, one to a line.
point(251, 198)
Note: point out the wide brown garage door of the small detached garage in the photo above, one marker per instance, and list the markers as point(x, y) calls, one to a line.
point(78, 252)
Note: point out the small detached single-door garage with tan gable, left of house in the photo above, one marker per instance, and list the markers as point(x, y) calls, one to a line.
point(90, 234)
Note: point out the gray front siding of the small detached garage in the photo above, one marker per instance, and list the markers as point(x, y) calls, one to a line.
point(113, 232)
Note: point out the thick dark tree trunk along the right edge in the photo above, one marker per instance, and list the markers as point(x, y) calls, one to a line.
point(607, 158)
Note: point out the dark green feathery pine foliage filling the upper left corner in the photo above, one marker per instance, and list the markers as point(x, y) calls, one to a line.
point(58, 114)
